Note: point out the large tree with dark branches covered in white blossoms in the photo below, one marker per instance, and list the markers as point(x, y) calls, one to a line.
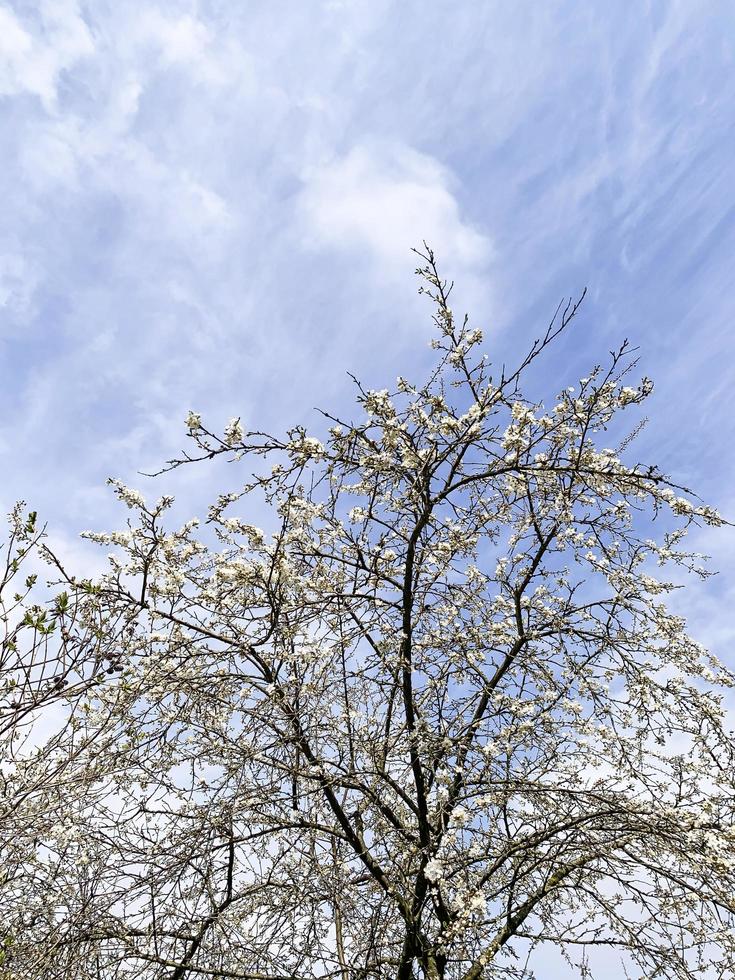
point(433, 721)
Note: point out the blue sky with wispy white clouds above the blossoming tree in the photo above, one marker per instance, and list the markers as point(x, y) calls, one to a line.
point(210, 205)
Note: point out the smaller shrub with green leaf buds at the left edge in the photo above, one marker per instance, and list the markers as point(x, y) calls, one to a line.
point(48, 661)
